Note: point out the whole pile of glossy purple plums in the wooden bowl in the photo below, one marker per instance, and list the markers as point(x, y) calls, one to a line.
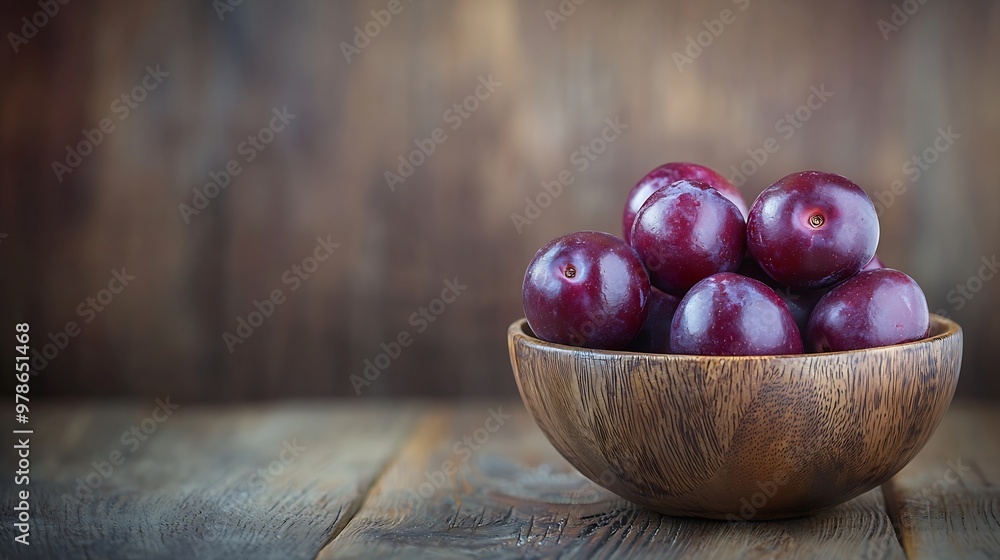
point(700, 273)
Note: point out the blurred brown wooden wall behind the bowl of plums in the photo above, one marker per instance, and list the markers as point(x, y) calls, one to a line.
point(324, 174)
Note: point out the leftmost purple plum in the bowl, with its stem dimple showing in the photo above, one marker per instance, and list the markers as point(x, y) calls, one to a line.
point(586, 289)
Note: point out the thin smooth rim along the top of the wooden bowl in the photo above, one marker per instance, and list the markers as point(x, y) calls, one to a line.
point(944, 327)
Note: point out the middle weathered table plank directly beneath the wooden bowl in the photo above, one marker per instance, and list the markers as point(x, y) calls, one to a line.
point(515, 496)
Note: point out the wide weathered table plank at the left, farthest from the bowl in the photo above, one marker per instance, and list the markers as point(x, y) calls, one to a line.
point(246, 482)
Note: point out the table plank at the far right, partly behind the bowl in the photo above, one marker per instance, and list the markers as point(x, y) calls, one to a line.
point(946, 502)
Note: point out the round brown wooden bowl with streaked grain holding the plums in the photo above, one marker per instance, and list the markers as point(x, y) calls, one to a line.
point(747, 437)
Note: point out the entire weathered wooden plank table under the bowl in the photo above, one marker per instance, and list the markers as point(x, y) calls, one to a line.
point(339, 479)
